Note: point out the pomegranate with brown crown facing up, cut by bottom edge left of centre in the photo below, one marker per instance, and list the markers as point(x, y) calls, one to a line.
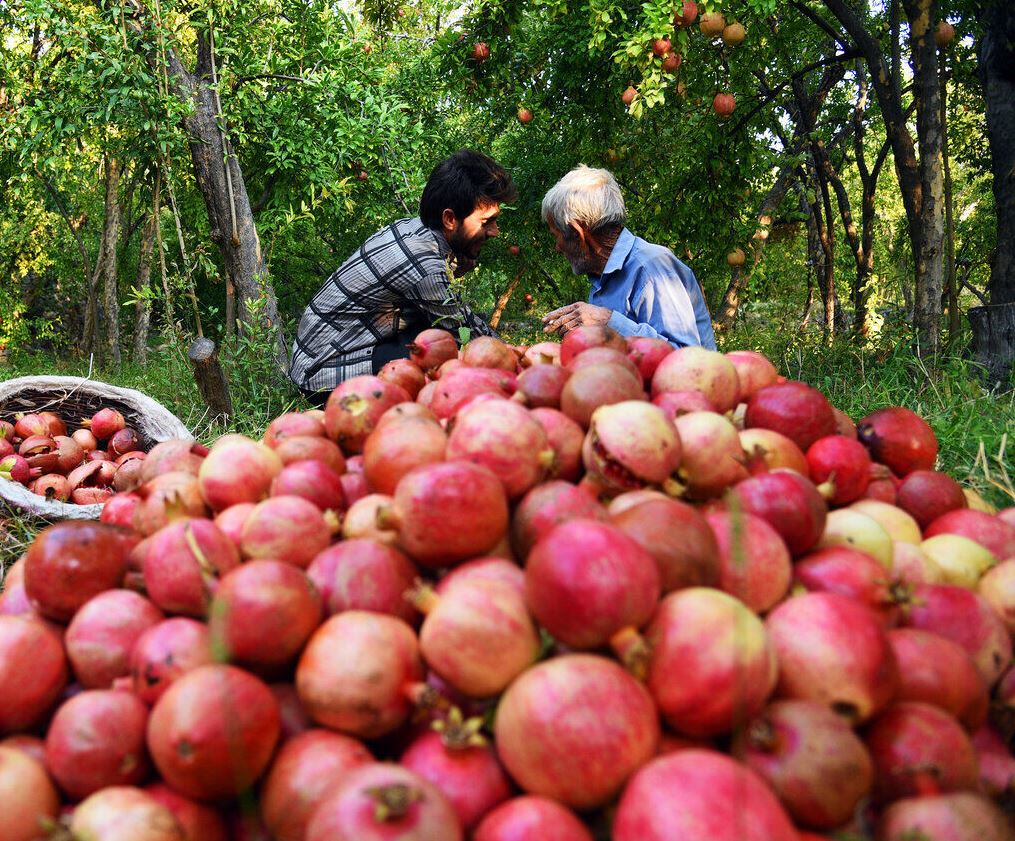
point(381, 802)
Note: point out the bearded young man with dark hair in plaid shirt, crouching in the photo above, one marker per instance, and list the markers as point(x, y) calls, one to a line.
point(398, 283)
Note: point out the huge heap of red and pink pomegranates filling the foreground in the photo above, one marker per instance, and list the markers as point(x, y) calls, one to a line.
point(597, 590)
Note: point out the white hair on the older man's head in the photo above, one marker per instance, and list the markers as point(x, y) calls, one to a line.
point(590, 197)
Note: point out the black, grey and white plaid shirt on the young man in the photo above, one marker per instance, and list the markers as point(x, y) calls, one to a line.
point(400, 274)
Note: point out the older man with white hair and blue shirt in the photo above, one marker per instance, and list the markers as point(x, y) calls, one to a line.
point(638, 289)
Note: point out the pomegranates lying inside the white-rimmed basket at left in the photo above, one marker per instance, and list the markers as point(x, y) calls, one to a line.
point(86, 467)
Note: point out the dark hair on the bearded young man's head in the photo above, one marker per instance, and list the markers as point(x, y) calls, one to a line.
point(462, 182)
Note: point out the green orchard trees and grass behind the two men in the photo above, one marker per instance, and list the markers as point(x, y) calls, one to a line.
point(172, 169)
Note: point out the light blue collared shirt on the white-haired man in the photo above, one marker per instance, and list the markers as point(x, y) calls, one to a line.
point(652, 294)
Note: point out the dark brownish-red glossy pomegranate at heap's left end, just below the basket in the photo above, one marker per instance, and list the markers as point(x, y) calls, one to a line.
point(70, 564)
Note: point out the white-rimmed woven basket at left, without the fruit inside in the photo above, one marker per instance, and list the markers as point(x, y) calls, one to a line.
point(75, 398)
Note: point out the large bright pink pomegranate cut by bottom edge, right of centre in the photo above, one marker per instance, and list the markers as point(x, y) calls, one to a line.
point(700, 795)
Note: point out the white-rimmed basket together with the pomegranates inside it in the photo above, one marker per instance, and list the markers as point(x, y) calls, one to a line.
point(69, 444)
